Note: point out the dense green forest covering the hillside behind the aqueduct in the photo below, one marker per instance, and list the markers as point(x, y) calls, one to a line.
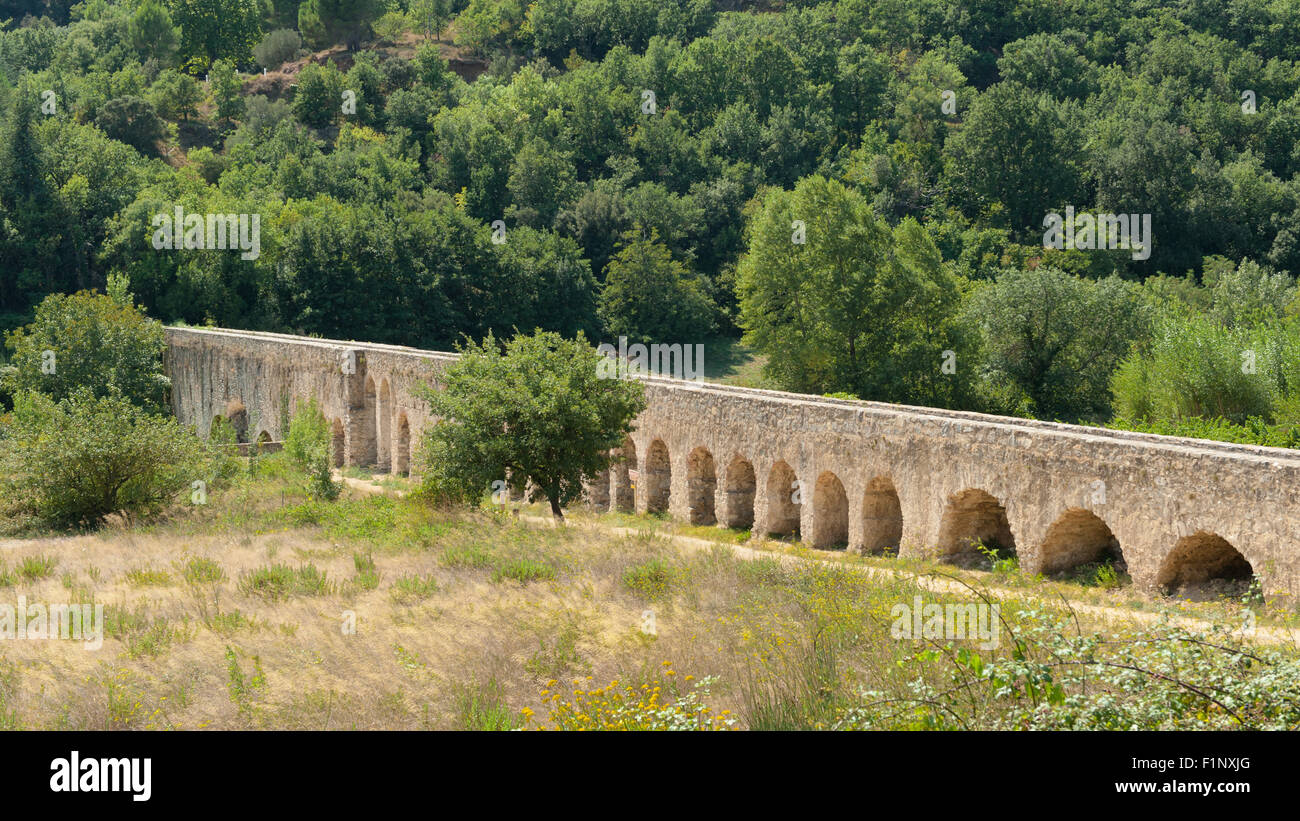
point(861, 188)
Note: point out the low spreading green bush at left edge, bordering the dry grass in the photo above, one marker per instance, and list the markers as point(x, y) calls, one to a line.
point(75, 463)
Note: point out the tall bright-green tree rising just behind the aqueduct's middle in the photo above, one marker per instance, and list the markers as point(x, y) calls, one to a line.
point(839, 302)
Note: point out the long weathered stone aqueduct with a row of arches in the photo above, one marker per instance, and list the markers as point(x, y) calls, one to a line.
point(865, 476)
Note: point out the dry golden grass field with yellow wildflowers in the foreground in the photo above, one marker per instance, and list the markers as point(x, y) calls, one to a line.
point(266, 610)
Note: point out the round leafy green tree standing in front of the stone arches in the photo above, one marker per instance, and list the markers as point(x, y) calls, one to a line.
point(534, 414)
